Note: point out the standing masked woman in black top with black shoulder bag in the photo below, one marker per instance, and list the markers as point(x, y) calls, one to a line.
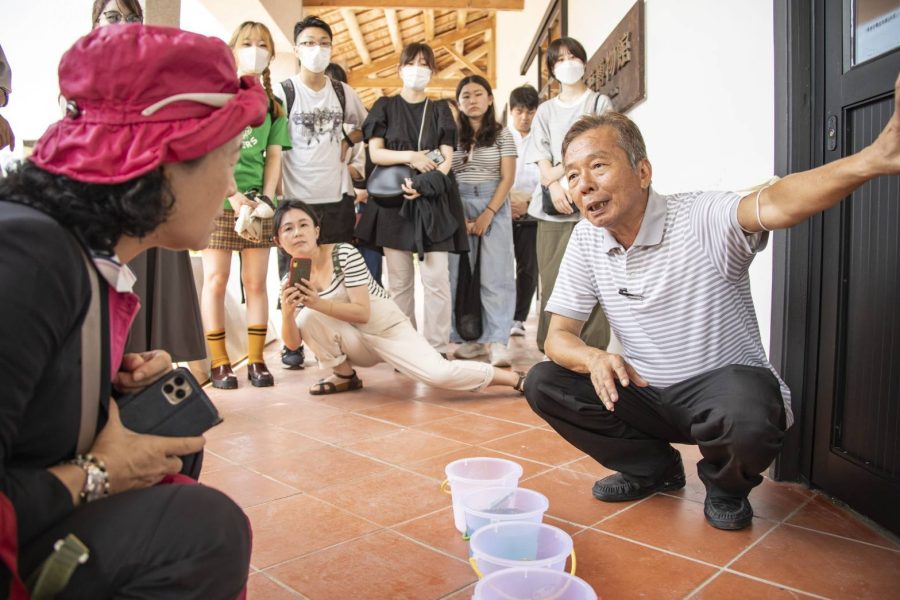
point(393, 130)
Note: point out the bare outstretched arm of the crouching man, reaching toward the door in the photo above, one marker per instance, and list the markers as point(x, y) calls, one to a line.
point(800, 195)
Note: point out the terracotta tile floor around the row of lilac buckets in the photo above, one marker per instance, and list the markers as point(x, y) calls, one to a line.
point(343, 494)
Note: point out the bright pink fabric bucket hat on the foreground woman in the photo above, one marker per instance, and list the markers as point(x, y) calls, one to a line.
point(139, 96)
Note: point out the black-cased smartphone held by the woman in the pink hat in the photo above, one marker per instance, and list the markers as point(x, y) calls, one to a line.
point(173, 406)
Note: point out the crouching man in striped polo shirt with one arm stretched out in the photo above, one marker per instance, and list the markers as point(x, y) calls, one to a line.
point(670, 273)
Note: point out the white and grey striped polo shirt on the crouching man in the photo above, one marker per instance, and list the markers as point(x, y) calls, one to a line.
point(678, 299)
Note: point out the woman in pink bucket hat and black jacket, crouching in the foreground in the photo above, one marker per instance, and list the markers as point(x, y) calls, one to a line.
point(142, 159)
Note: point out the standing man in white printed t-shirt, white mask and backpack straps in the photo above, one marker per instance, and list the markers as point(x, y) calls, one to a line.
point(324, 119)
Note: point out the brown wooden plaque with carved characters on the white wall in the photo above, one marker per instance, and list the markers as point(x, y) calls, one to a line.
point(617, 68)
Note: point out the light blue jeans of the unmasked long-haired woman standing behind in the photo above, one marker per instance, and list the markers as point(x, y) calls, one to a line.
point(498, 271)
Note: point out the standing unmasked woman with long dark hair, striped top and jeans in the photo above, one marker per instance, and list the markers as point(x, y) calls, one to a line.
point(485, 166)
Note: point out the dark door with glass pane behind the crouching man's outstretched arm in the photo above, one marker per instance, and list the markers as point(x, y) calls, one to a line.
point(856, 447)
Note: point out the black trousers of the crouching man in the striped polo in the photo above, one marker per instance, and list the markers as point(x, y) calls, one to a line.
point(735, 414)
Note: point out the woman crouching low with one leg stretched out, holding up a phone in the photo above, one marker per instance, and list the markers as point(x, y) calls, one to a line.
point(348, 320)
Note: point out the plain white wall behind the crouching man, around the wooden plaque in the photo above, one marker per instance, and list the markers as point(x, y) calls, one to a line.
point(708, 119)
